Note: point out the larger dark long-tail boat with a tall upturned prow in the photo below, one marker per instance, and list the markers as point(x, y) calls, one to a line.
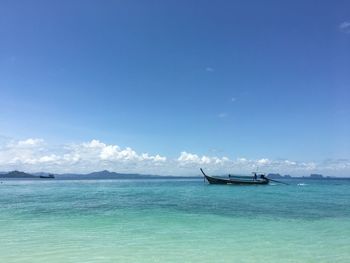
point(256, 179)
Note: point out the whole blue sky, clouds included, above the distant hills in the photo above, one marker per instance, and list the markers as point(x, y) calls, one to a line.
point(166, 87)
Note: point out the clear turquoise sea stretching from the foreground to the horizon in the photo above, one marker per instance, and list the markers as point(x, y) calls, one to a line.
point(173, 221)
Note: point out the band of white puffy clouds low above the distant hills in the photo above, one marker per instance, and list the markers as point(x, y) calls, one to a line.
point(34, 155)
